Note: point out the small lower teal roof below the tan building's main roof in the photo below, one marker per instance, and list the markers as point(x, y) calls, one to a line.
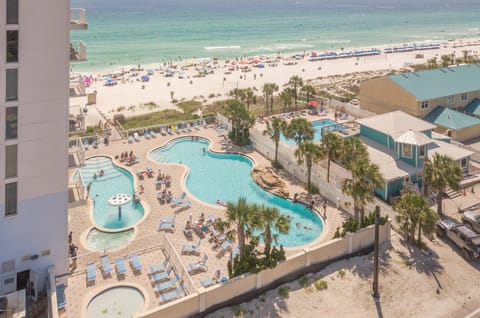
point(450, 118)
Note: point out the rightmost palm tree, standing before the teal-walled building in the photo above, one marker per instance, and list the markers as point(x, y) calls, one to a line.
point(440, 173)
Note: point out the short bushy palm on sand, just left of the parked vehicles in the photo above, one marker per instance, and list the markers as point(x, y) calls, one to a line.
point(414, 216)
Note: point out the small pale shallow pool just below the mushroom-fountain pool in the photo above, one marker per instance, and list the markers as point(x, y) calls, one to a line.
point(100, 241)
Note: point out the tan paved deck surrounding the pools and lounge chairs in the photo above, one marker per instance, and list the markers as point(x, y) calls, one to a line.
point(147, 243)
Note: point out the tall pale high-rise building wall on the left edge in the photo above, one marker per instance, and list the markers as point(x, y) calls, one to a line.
point(34, 130)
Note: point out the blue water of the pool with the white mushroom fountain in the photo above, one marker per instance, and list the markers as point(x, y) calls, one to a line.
point(115, 181)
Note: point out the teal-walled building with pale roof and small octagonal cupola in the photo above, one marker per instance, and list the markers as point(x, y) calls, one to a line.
point(399, 143)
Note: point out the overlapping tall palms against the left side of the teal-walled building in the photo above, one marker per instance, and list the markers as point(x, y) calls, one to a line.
point(365, 176)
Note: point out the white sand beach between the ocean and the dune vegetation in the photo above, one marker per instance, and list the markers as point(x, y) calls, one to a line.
point(226, 77)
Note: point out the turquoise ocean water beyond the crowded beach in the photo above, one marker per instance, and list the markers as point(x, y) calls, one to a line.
point(125, 32)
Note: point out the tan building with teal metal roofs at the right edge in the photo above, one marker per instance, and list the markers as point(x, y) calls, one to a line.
point(440, 96)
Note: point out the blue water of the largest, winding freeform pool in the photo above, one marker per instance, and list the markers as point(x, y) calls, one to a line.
point(226, 177)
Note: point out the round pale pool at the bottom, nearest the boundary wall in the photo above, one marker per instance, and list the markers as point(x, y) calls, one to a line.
point(118, 302)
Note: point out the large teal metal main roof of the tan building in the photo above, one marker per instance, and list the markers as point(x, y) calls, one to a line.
point(441, 82)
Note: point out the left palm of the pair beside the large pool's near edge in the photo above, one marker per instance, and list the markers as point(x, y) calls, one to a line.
point(240, 222)
